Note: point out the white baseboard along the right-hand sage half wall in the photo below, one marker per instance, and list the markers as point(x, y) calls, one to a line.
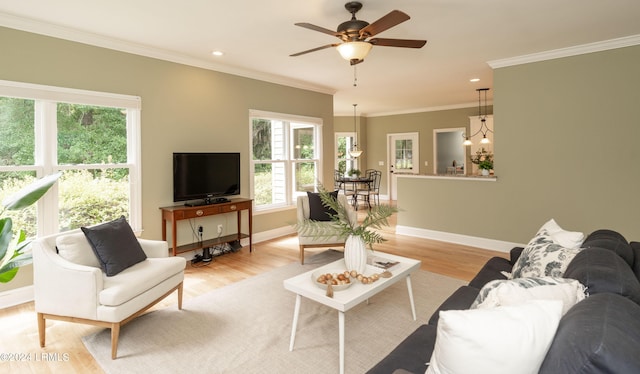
point(472, 241)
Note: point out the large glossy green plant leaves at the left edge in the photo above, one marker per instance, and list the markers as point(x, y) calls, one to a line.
point(14, 250)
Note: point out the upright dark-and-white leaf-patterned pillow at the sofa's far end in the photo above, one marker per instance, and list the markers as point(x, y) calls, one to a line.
point(542, 257)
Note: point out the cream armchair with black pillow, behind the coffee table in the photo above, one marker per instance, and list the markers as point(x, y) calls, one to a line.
point(306, 239)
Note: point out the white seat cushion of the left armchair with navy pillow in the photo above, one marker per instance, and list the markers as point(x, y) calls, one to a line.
point(138, 278)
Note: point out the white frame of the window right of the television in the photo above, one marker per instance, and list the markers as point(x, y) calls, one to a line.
point(289, 161)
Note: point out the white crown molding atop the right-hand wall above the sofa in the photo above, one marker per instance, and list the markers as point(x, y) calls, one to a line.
point(605, 45)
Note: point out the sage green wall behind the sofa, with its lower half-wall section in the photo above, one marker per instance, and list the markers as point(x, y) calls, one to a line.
point(566, 133)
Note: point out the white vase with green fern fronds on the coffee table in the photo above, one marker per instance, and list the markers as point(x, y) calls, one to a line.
point(358, 235)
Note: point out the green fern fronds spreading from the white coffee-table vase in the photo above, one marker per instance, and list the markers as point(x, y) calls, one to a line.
point(377, 217)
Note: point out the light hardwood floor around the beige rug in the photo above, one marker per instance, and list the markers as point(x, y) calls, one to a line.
point(67, 353)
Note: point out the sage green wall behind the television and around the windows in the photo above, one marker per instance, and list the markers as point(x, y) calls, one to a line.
point(184, 108)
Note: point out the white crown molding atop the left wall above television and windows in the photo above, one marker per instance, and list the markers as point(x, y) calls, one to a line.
point(74, 35)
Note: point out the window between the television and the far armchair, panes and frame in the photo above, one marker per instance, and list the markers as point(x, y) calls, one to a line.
point(285, 161)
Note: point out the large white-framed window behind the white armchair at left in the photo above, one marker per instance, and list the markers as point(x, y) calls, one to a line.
point(91, 137)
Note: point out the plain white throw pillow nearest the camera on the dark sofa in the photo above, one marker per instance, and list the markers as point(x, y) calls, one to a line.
point(504, 340)
